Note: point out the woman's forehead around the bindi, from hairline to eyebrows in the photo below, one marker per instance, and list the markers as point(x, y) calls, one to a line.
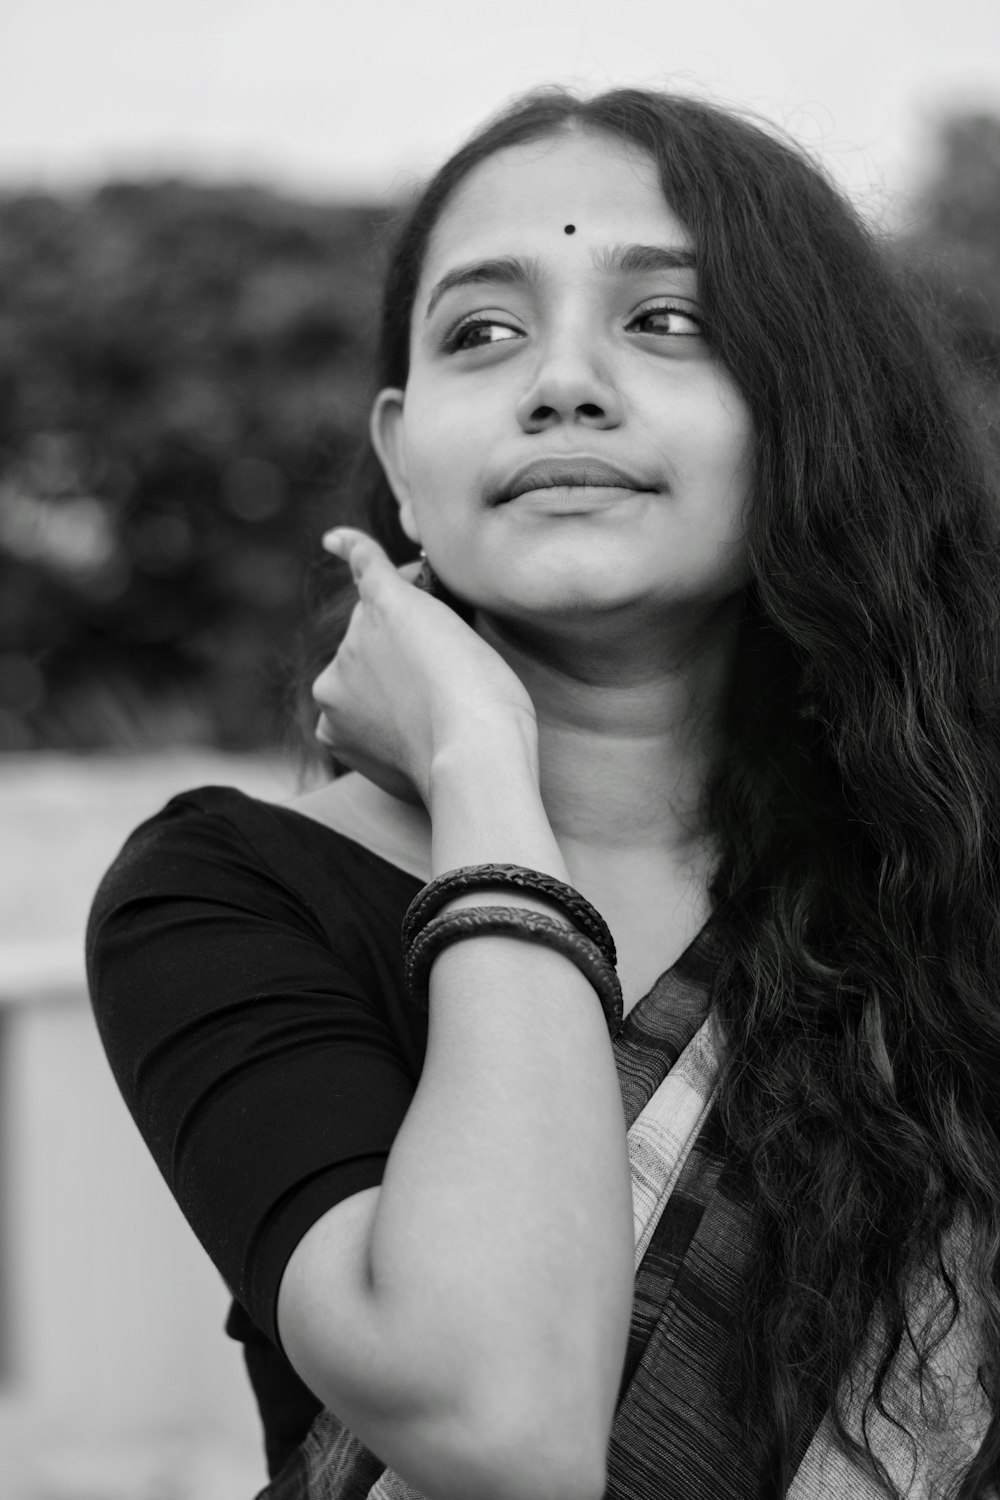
point(521, 199)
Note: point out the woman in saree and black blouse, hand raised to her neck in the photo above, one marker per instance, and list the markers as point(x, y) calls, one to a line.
point(705, 649)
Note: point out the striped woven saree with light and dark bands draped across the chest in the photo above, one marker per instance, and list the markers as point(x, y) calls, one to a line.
point(672, 1436)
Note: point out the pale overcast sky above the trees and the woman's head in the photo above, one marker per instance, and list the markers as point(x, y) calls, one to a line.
point(362, 100)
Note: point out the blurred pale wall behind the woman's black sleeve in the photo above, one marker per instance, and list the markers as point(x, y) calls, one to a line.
point(118, 1381)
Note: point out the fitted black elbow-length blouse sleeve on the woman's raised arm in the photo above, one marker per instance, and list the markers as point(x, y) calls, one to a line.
point(253, 1025)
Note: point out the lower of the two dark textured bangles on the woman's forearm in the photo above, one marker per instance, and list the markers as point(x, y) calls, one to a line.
point(513, 922)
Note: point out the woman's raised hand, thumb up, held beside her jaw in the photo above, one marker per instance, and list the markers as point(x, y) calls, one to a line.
point(409, 679)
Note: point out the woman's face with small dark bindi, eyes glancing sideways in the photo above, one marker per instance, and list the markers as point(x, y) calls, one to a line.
point(570, 368)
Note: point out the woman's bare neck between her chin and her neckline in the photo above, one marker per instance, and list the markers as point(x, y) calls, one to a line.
point(629, 730)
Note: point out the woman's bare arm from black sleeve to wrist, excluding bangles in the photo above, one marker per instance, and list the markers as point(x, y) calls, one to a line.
point(469, 1321)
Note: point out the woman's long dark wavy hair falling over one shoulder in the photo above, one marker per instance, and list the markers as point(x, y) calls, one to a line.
point(858, 803)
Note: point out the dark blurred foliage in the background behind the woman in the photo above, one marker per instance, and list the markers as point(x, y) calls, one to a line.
point(184, 373)
